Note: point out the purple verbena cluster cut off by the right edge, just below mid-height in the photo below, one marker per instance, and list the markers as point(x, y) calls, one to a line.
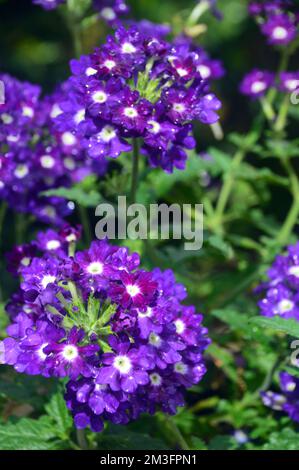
point(280, 293)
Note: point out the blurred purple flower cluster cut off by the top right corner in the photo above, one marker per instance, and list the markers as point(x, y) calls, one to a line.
point(278, 20)
